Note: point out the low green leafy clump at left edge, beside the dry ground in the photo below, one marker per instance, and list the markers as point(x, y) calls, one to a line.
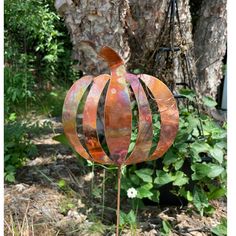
point(17, 148)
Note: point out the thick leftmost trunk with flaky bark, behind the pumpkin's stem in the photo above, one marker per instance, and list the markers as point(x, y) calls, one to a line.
point(101, 22)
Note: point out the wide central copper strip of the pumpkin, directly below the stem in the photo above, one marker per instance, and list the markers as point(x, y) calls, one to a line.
point(118, 116)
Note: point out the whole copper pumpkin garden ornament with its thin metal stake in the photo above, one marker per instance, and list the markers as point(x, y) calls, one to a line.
point(118, 116)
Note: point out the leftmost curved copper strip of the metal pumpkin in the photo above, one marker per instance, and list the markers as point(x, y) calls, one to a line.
point(69, 112)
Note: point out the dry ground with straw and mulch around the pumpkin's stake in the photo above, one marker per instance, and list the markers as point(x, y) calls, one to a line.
point(58, 194)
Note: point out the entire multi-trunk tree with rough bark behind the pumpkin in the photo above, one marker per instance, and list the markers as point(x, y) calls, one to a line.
point(145, 34)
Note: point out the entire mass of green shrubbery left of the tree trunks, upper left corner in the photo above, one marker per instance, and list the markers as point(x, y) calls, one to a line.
point(37, 51)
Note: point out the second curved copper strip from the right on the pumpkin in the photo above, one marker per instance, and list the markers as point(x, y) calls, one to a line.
point(145, 132)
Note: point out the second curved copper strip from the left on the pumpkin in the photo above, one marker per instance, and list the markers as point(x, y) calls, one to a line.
point(90, 120)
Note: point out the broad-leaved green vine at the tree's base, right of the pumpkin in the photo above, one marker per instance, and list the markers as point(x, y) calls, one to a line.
point(195, 166)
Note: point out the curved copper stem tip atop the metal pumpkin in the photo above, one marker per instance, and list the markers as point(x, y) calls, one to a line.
point(111, 57)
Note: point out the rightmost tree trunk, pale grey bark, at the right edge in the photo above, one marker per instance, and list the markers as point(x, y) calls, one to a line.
point(210, 45)
